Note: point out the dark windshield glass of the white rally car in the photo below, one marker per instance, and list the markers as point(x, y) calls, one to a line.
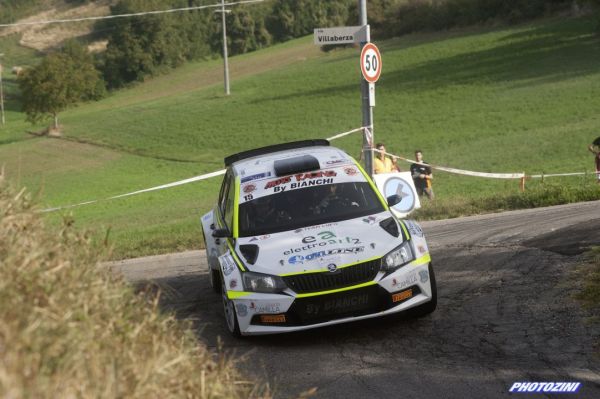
point(309, 206)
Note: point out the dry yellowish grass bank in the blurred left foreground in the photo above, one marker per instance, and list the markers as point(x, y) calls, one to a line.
point(71, 329)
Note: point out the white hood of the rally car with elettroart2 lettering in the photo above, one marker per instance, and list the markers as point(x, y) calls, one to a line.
point(315, 247)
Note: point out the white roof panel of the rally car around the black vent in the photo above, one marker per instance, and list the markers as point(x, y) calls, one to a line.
point(265, 164)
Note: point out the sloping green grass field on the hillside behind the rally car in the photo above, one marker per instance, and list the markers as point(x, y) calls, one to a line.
point(513, 99)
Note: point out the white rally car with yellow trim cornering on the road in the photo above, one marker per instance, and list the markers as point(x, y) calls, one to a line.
point(301, 238)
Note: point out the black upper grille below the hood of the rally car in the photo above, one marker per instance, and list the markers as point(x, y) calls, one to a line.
point(344, 277)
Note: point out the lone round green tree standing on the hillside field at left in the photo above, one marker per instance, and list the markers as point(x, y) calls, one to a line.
point(60, 81)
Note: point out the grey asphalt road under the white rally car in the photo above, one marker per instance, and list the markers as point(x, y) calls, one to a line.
point(505, 314)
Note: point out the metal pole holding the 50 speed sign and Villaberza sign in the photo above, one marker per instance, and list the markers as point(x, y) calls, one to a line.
point(367, 110)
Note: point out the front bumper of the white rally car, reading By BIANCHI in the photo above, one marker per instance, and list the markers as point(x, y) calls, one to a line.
point(406, 288)
